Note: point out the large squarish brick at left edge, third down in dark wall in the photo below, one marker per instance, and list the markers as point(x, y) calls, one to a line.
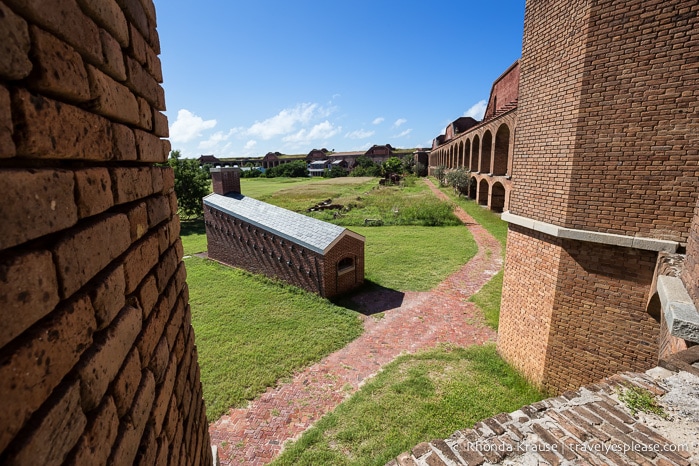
point(42, 203)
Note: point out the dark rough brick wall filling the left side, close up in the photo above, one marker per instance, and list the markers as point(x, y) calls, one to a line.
point(97, 356)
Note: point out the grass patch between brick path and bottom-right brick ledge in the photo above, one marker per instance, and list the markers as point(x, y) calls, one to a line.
point(413, 399)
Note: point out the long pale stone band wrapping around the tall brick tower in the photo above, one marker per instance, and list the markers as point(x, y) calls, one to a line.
point(648, 244)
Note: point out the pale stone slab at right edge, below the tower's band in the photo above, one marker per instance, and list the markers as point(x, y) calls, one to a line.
point(680, 313)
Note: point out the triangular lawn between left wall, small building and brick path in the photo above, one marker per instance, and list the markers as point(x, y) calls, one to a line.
point(252, 331)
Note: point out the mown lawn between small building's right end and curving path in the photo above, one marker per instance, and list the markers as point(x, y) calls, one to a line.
point(410, 259)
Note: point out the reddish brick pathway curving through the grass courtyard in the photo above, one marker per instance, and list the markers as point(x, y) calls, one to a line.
point(412, 321)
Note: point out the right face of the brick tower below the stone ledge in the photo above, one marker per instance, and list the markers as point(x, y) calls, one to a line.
point(599, 323)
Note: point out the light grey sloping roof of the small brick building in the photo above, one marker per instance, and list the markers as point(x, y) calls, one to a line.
point(308, 232)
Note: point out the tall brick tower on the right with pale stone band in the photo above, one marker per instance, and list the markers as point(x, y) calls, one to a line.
point(606, 174)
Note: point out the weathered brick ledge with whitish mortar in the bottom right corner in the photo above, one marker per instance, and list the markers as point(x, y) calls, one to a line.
point(585, 426)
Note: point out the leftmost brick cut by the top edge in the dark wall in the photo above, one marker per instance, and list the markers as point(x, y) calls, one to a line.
point(65, 20)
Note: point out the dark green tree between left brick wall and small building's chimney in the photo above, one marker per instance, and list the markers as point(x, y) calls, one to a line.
point(191, 185)
